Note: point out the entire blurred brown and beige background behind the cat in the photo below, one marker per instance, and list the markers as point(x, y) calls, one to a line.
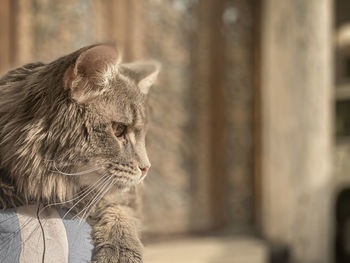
point(250, 119)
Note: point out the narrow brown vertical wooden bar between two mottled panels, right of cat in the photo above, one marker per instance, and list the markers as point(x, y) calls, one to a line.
point(217, 111)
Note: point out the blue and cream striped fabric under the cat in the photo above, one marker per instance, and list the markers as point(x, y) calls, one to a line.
point(55, 238)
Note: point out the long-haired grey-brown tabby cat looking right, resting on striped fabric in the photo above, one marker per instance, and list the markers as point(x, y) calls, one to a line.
point(72, 133)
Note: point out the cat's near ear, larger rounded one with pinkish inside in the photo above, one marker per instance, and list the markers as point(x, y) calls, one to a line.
point(89, 76)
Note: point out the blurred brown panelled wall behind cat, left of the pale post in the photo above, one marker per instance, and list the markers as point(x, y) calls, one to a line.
point(200, 139)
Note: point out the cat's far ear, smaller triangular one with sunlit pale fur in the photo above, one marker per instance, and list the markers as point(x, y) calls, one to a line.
point(145, 73)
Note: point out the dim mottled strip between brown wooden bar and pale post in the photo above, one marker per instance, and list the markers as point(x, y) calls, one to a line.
point(238, 87)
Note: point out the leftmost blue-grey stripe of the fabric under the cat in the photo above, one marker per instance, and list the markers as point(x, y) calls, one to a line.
point(10, 237)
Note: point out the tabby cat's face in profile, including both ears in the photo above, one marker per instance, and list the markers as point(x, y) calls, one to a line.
point(113, 96)
